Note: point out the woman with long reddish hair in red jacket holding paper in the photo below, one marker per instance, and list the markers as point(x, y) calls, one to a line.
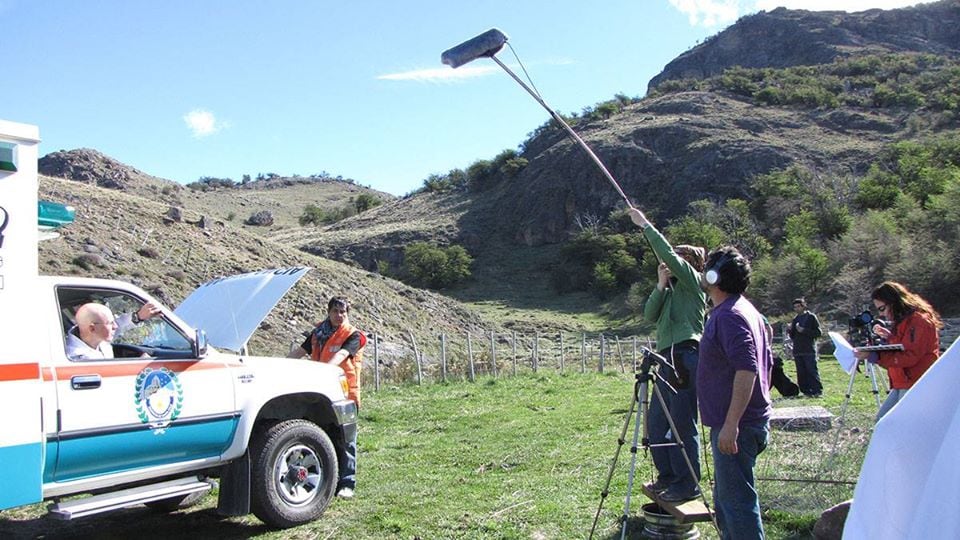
point(916, 326)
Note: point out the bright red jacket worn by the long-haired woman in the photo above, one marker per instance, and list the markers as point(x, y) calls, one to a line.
point(921, 348)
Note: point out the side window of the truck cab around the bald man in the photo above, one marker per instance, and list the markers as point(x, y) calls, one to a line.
point(153, 338)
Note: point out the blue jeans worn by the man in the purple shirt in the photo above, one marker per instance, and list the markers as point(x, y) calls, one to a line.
point(734, 493)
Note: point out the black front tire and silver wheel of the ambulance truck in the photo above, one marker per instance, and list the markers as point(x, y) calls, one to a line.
point(294, 473)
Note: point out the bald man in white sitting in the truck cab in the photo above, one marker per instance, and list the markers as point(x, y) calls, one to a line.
point(90, 338)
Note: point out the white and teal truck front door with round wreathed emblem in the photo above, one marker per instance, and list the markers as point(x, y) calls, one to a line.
point(152, 404)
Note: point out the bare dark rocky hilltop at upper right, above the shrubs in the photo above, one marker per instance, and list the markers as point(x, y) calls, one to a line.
point(782, 38)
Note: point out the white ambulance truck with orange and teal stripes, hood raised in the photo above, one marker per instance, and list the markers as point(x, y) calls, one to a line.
point(173, 410)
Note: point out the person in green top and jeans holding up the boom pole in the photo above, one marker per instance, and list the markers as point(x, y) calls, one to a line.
point(678, 304)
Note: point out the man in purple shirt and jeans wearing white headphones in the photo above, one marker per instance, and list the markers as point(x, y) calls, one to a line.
point(733, 387)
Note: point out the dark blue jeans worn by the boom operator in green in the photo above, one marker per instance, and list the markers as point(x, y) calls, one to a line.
point(672, 469)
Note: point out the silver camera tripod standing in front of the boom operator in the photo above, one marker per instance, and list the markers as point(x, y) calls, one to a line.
point(648, 372)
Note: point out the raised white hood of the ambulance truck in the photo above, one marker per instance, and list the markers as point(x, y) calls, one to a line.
point(230, 309)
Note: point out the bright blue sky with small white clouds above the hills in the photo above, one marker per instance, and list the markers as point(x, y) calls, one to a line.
point(182, 89)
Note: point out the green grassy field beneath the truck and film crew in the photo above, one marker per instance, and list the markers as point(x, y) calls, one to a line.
point(522, 457)
